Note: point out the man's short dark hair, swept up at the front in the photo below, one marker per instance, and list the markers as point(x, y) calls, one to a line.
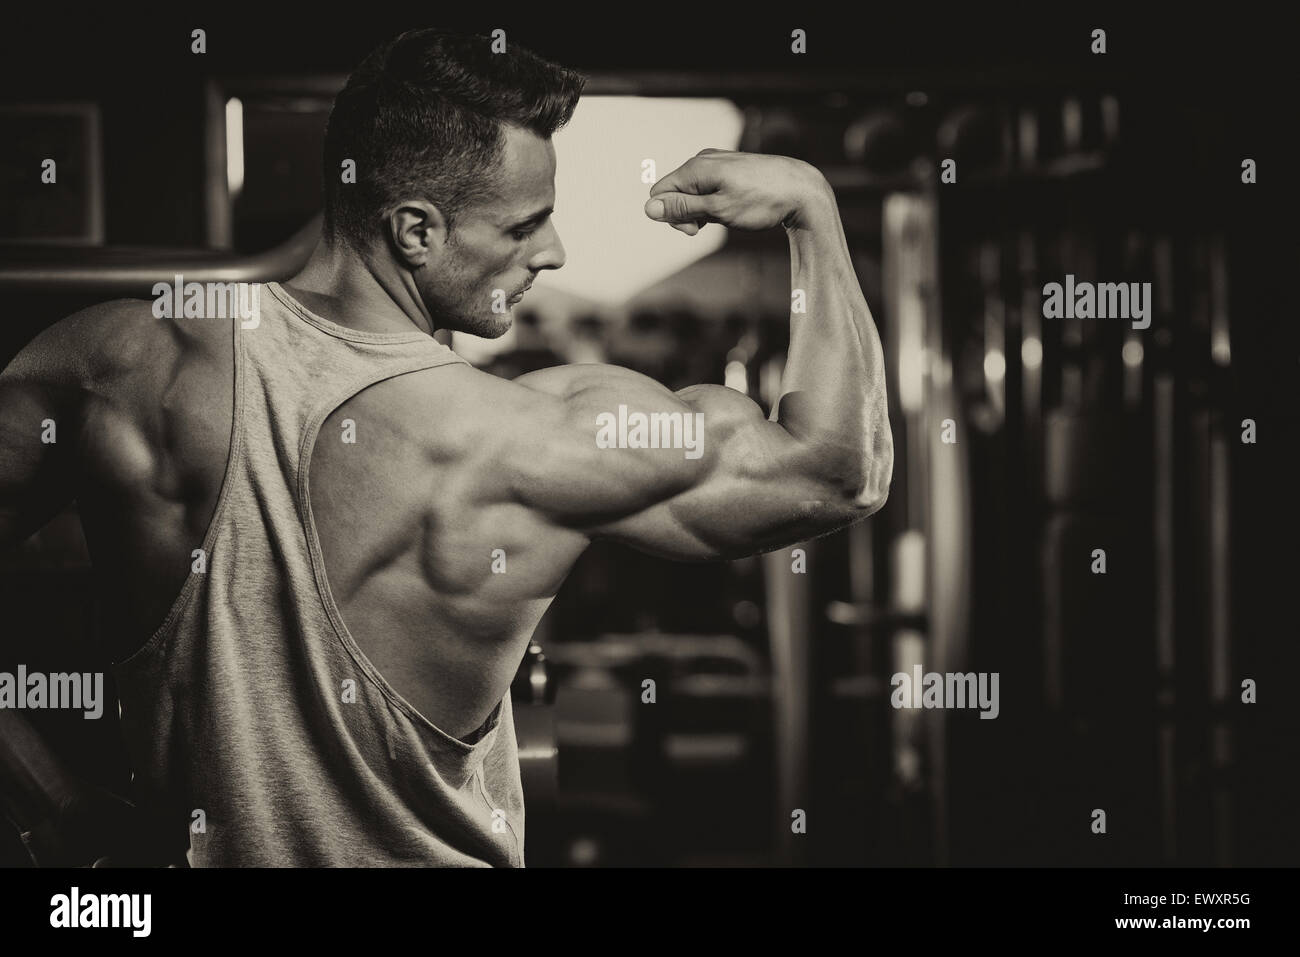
point(423, 115)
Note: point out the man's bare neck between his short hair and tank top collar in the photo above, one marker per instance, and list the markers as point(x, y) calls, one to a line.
point(344, 288)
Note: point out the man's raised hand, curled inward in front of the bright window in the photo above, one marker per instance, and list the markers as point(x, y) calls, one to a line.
point(739, 190)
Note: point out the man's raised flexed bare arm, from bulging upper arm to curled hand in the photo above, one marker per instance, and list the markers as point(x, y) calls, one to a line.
point(824, 461)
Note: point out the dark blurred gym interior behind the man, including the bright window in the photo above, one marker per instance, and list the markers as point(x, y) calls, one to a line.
point(1090, 510)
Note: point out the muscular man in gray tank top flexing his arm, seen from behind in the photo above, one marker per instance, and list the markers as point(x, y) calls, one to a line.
point(323, 540)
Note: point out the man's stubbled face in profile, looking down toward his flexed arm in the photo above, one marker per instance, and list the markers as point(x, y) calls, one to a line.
point(499, 245)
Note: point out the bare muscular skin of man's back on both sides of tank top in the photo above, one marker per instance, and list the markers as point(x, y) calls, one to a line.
point(405, 508)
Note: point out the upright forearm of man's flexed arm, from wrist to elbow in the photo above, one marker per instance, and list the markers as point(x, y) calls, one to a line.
point(834, 397)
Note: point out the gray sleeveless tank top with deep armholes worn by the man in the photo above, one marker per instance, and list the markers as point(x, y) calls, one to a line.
point(258, 731)
